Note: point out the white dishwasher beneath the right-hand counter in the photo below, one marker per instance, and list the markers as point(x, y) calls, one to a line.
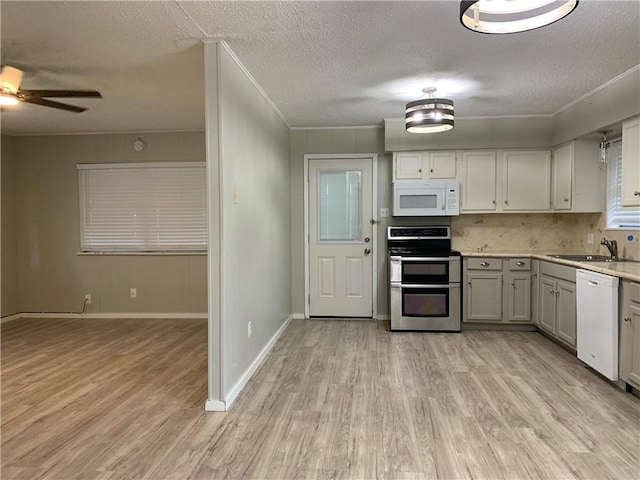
point(597, 328)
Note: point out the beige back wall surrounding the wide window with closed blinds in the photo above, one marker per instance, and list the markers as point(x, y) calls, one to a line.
point(52, 277)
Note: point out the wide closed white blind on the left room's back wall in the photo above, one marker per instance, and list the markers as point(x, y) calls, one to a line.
point(151, 207)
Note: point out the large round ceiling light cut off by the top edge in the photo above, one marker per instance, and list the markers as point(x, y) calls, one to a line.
point(512, 16)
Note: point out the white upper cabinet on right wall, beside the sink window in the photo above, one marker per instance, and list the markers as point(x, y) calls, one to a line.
point(577, 177)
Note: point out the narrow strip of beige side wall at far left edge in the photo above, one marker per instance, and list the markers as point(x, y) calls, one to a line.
point(9, 249)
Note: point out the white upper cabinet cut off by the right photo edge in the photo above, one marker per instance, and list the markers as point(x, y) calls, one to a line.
point(631, 163)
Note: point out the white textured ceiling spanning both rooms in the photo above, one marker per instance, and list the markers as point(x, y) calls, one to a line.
point(323, 64)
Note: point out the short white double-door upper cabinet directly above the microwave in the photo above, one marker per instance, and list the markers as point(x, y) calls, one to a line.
point(438, 165)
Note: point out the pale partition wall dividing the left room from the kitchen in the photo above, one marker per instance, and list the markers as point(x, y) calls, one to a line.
point(251, 169)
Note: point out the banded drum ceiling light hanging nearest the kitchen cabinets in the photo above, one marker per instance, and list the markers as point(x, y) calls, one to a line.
point(429, 115)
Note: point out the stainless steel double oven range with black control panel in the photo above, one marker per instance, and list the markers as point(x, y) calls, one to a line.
point(424, 278)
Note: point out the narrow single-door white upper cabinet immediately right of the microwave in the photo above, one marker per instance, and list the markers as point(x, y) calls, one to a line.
point(478, 170)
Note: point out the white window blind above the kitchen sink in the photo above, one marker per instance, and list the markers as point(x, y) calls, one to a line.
point(617, 215)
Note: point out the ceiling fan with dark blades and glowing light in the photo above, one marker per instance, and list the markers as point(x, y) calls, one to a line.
point(11, 93)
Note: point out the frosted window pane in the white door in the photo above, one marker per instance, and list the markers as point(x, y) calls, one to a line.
point(340, 205)
